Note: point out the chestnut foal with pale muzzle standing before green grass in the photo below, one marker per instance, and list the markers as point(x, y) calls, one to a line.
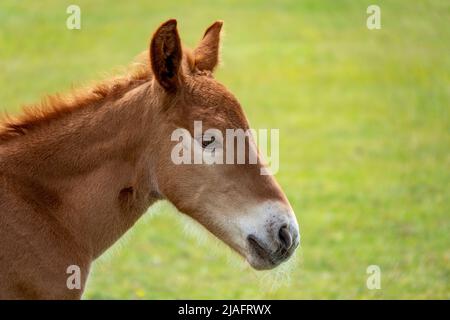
point(77, 172)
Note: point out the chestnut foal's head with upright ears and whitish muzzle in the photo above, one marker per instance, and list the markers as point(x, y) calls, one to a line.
point(238, 204)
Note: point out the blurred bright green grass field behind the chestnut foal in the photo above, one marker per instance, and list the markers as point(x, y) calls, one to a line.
point(364, 131)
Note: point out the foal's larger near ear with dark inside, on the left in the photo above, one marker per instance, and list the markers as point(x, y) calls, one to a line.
point(166, 55)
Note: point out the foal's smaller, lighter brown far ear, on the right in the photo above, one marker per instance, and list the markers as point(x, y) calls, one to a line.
point(207, 52)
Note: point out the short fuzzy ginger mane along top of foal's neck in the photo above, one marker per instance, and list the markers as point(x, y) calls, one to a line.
point(56, 106)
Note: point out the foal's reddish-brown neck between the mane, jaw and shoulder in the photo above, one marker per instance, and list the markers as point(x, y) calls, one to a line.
point(97, 163)
